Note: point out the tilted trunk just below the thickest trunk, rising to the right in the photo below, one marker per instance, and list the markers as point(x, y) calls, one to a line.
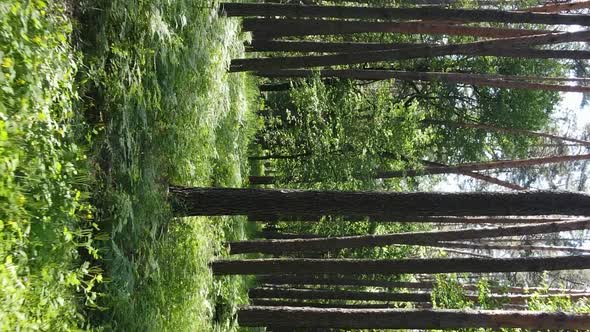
point(415, 238)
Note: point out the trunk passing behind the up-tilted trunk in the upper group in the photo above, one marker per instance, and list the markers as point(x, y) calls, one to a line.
point(261, 45)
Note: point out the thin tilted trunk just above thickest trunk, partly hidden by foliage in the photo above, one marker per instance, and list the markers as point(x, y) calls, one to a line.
point(454, 169)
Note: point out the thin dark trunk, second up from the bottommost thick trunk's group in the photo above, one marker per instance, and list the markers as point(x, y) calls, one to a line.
point(319, 294)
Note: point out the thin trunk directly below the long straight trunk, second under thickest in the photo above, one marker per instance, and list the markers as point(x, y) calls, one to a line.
point(341, 281)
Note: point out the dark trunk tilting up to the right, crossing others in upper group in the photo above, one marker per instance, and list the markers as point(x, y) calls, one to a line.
point(256, 64)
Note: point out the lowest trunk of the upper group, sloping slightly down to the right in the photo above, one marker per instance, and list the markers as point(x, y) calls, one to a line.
point(461, 78)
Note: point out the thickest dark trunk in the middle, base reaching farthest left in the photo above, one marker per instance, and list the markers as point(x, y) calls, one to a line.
point(387, 205)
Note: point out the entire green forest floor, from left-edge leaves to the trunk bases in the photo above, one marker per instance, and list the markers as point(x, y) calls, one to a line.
point(158, 108)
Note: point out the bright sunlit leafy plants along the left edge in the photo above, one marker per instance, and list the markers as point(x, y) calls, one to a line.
point(46, 222)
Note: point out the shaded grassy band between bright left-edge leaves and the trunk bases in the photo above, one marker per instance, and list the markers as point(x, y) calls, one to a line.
point(158, 85)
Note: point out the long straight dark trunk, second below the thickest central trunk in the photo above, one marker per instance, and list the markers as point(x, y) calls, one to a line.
point(278, 266)
